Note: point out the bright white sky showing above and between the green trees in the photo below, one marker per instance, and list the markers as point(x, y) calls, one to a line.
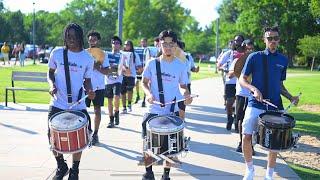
point(205, 11)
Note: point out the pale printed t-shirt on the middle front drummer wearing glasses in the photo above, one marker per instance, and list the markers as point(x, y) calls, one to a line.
point(173, 74)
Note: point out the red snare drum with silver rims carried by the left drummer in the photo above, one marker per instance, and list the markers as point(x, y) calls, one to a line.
point(69, 131)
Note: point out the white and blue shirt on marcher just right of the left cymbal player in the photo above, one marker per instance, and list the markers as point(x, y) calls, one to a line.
point(116, 62)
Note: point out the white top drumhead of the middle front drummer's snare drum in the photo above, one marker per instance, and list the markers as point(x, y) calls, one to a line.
point(165, 124)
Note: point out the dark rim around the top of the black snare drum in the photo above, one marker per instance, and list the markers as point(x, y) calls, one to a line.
point(274, 125)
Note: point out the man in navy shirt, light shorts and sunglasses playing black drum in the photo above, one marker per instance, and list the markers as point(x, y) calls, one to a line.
point(265, 85)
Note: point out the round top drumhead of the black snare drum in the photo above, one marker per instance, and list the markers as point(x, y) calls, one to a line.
point(276, 120)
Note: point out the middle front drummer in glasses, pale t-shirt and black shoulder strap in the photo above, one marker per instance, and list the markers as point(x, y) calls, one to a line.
point(173, 74)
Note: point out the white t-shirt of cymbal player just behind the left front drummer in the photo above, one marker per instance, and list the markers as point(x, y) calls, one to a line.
point(97, 78)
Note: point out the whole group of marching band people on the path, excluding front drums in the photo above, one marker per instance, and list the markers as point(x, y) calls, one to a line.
point(76, 73)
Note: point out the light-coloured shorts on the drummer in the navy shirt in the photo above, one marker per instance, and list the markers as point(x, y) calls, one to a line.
point(250, 120)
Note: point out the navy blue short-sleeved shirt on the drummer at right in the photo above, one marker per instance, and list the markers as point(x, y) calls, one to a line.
point(277, 67)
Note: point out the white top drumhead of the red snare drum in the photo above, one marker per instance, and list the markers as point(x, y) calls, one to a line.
point(68, 120)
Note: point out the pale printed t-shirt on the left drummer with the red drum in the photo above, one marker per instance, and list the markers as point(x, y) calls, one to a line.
point(80, 67)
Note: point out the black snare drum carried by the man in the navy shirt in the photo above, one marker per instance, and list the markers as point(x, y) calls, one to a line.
point(275, 131)
